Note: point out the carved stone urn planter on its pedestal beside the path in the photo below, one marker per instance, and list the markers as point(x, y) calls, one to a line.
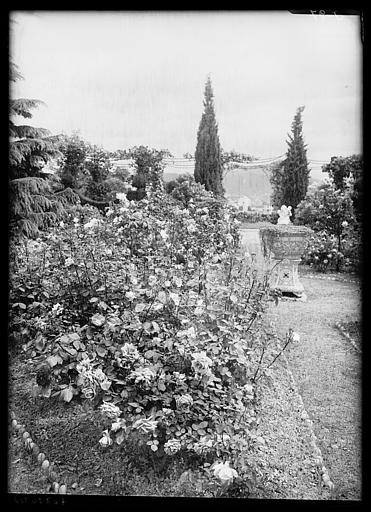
point(285, 243)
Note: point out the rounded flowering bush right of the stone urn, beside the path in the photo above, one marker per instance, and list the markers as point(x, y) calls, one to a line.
point(329, 212)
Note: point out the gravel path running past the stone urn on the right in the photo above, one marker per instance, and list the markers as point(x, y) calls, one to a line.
point(327, 370)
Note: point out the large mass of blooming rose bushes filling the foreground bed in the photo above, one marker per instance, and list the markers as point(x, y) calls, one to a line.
point(149, 312)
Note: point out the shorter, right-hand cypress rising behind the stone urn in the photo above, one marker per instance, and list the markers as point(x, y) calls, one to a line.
point(290, 179)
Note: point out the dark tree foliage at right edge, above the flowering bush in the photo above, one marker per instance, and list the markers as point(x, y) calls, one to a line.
point(345, 171)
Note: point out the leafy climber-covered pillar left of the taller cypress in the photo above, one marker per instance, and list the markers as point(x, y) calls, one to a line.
point(149, 168)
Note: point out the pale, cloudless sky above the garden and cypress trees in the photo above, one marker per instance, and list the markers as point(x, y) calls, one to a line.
point(124, 79)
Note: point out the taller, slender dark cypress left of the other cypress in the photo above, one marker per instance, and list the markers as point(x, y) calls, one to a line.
point(208, 156)
